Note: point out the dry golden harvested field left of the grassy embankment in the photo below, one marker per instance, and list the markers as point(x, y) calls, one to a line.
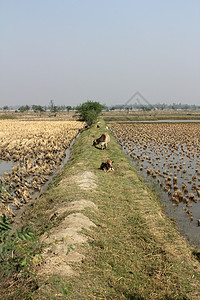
point(36, 149)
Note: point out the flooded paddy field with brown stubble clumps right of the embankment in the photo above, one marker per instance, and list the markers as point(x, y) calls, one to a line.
point(167, 156)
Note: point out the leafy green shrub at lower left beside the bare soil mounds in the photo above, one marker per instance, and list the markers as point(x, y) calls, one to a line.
point(19, 251)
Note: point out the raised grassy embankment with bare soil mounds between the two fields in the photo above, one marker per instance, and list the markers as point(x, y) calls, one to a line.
point(103, 236)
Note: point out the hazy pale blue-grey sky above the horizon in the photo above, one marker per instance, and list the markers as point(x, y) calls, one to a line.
point(71, 51)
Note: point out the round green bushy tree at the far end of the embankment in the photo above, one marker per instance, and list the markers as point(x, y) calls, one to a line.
point(89, 111)
